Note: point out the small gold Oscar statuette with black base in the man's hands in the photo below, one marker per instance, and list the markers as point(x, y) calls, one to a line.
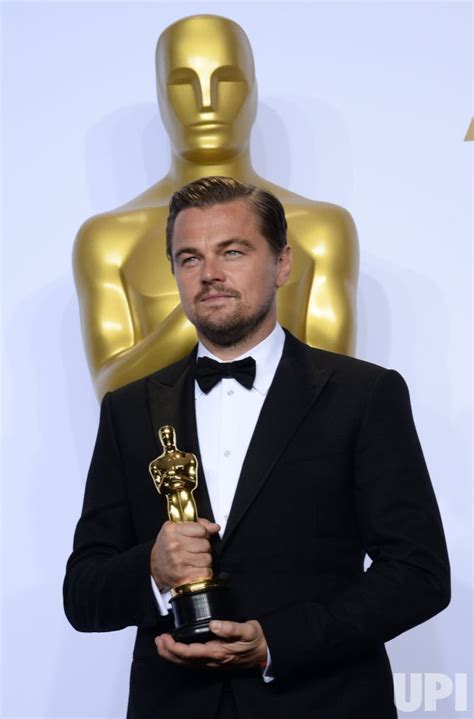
point(175, 474)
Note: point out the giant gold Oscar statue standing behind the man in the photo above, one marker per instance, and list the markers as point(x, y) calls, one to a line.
point(132, 321)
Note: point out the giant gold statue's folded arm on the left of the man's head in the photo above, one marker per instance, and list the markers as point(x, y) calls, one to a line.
point(116, 349)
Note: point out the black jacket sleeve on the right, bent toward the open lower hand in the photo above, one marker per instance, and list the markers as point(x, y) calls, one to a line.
point(408, 581)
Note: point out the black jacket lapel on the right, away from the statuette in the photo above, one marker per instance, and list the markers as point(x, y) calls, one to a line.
point(296, 386)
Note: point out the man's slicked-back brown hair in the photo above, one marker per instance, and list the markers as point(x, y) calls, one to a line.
point(215, 190)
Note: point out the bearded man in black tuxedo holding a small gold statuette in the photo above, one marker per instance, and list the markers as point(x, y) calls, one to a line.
point(314, 466)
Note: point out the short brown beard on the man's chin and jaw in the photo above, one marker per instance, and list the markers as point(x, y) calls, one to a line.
point(229, 330)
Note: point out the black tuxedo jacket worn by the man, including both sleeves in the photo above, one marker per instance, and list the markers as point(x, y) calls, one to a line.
point(334, 471)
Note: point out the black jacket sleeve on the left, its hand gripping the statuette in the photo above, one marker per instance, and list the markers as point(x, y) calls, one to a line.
point(107, 584)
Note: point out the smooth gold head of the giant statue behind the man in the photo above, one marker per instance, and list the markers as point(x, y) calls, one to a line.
point(206, 85)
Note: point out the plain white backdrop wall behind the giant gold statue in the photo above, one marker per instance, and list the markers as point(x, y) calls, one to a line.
point(361, 104)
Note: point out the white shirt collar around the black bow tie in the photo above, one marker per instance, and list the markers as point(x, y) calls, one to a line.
point(266, 354)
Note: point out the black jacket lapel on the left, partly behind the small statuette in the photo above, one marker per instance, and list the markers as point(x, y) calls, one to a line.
point(171, 401)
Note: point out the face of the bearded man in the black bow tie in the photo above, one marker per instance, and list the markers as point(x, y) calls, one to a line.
point(227, 275)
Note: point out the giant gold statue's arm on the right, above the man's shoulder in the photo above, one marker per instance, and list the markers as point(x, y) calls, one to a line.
point(331, 241)
